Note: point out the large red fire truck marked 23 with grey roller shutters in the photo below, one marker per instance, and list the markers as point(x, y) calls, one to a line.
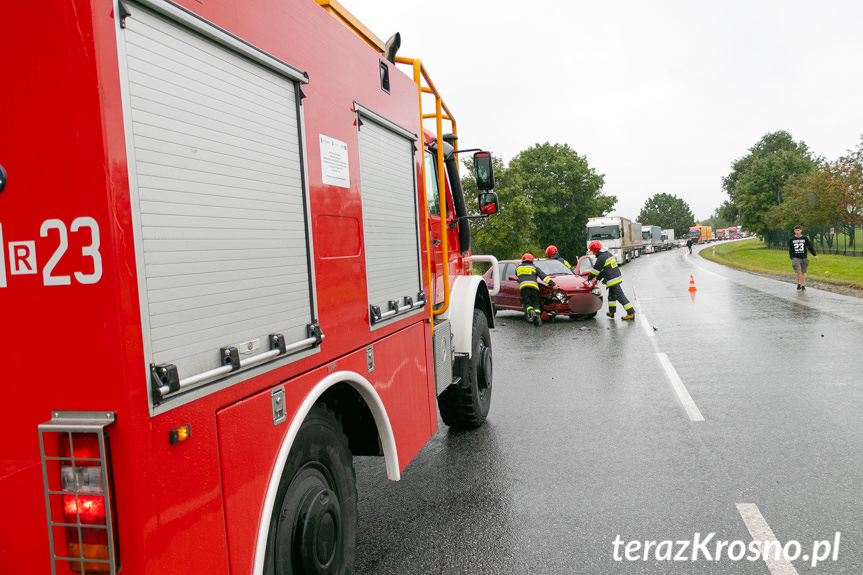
point(231, 258)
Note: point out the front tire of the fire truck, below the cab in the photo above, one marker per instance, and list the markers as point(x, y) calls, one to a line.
point(466, 404)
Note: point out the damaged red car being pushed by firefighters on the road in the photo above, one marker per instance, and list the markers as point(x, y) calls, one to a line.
point(576, 299)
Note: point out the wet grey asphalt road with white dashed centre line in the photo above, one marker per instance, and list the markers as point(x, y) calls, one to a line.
point(588, 439)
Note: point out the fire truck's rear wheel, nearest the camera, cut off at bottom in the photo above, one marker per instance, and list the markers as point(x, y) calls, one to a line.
point(314, 530)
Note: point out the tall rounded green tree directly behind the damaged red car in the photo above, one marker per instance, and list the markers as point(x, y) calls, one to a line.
point(565, 191)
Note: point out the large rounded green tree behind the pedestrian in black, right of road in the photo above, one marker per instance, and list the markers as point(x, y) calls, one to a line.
point(759, 179)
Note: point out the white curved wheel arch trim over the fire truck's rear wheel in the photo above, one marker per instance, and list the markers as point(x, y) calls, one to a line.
point(382, 421)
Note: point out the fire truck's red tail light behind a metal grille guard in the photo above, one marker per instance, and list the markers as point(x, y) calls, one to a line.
point(79, 492)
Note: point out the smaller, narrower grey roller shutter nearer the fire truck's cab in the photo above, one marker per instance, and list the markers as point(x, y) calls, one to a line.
point(390, 216)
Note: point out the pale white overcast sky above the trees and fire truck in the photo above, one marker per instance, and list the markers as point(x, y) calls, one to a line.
point(660, 96)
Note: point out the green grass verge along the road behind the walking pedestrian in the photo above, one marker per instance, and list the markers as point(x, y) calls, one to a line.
point(752, 255)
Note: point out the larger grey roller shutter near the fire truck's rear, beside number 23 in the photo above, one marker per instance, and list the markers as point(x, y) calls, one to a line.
point(218, 197)
